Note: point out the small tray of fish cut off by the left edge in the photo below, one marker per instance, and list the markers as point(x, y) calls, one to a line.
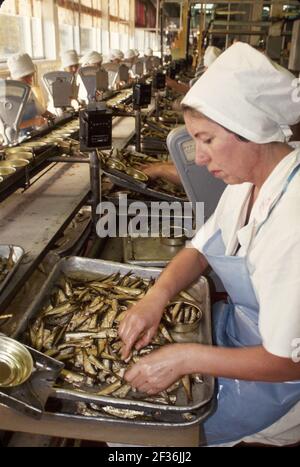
point(10, 258)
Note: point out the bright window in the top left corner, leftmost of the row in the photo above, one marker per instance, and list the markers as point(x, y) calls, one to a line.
point(21, 28)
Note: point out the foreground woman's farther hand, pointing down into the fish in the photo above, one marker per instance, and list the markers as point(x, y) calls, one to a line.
point(140, 324)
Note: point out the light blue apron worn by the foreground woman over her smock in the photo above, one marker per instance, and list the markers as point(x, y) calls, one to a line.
point(244, 407)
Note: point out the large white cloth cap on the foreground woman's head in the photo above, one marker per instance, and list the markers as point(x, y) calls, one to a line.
point(247, 93)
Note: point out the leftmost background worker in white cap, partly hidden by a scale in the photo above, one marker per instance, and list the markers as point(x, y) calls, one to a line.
point(22, 69)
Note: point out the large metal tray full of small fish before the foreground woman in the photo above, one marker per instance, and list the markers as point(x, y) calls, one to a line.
point(75, 318)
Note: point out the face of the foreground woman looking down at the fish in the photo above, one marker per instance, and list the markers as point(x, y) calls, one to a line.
point(224, 155)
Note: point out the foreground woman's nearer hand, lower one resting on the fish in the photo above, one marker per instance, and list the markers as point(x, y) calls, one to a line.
point(158, 370)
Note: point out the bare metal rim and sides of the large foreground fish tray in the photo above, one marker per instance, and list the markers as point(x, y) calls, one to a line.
point(75, 267)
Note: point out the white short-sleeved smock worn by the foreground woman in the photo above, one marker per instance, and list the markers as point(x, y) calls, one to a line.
point(273, 257)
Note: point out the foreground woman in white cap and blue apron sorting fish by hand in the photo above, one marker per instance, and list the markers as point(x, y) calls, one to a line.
point(252, 242)
